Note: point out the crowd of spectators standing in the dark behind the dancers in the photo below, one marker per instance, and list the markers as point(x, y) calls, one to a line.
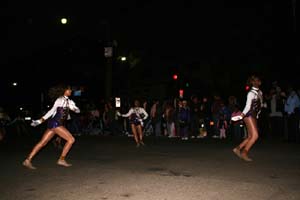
point(196, 116)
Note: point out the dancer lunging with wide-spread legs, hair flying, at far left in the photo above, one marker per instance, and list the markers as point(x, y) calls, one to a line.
point(58, 115)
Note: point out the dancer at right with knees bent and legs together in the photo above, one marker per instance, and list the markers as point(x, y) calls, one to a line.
point(249, 115)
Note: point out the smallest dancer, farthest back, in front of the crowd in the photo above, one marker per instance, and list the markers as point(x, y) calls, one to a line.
point(136, 116)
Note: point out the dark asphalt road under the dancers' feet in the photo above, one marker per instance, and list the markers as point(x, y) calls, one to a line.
point(112, 168)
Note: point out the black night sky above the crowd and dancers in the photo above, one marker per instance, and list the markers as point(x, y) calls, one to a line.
point(208, 43)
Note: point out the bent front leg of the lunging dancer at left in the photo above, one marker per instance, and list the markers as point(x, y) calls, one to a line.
point(66, 135)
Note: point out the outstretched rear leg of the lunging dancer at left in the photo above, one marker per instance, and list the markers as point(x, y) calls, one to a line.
point(49, 133)
